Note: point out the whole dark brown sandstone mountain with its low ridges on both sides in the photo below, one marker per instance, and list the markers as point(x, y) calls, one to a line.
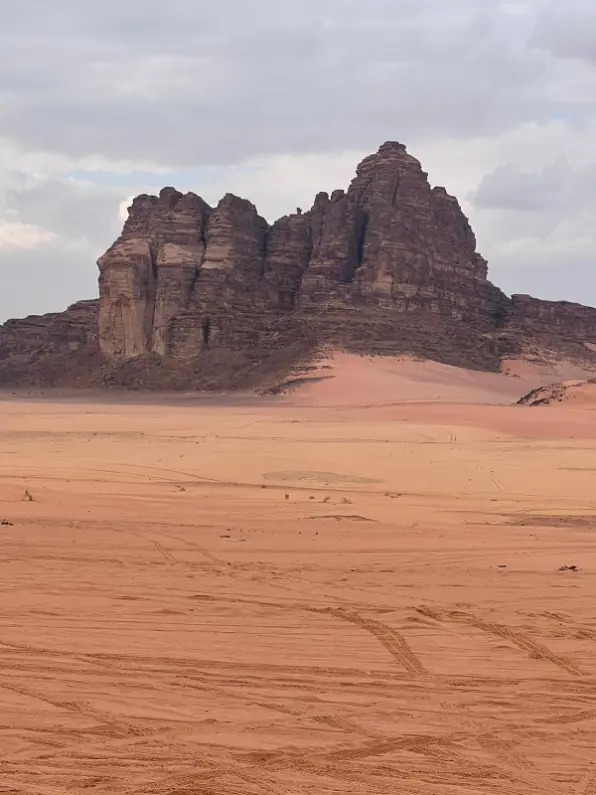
point(192, 296)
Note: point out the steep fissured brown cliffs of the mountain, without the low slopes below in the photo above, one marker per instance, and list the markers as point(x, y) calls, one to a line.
point(390, 241)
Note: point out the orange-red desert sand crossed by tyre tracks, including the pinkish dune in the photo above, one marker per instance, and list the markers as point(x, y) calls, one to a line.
point(351, 588)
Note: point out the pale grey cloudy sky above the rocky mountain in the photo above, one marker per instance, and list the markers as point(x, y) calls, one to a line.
point(277, 100)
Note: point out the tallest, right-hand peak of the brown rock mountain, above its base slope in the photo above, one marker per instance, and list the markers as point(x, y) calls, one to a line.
point(419, 252)
